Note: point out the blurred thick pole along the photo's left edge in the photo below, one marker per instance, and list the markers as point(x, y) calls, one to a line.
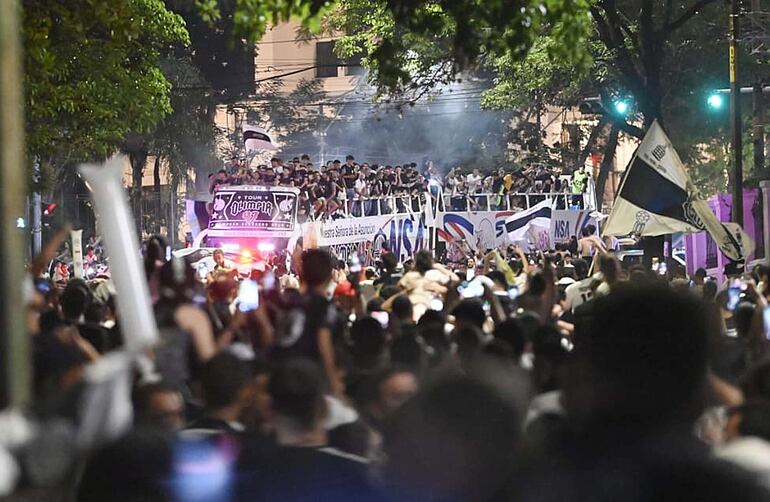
point(14, 340)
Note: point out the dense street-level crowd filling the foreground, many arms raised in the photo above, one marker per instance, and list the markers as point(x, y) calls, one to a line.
point(507, 376)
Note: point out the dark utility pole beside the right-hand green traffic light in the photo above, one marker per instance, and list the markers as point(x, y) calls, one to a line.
point(735, 114)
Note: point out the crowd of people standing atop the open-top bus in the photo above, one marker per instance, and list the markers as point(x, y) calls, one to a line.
point(339, 189)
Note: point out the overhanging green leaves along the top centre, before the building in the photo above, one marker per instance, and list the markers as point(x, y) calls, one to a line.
point(410, 44)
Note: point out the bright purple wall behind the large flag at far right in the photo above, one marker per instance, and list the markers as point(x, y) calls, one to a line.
point(703, 252)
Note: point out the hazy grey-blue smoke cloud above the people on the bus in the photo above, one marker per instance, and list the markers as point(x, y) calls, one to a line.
point(451, 130)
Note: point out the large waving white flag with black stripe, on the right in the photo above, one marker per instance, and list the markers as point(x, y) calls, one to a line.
point(657, 197)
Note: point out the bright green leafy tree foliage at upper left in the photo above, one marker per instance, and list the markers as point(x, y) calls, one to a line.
point(92, 75)
